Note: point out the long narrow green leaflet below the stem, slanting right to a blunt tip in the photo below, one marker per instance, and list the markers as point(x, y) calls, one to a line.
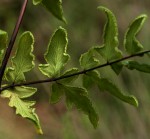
point(106, 85)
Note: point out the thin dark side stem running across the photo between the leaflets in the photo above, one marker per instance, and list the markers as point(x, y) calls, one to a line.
point(75, 74)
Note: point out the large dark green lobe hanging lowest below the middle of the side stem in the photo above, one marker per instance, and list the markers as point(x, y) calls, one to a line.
point(79, 97)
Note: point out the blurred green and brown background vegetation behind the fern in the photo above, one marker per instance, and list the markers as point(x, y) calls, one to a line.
point(85, 24)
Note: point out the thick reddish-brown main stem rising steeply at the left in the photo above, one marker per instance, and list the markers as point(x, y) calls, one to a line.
point(12, 40)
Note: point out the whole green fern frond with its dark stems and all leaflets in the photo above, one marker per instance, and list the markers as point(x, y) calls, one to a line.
point(13, 81)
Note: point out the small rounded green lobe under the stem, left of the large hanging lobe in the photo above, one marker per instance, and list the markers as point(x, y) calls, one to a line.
point(57, 93)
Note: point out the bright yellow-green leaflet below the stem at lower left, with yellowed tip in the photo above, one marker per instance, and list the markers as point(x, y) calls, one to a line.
point(23, 108)
